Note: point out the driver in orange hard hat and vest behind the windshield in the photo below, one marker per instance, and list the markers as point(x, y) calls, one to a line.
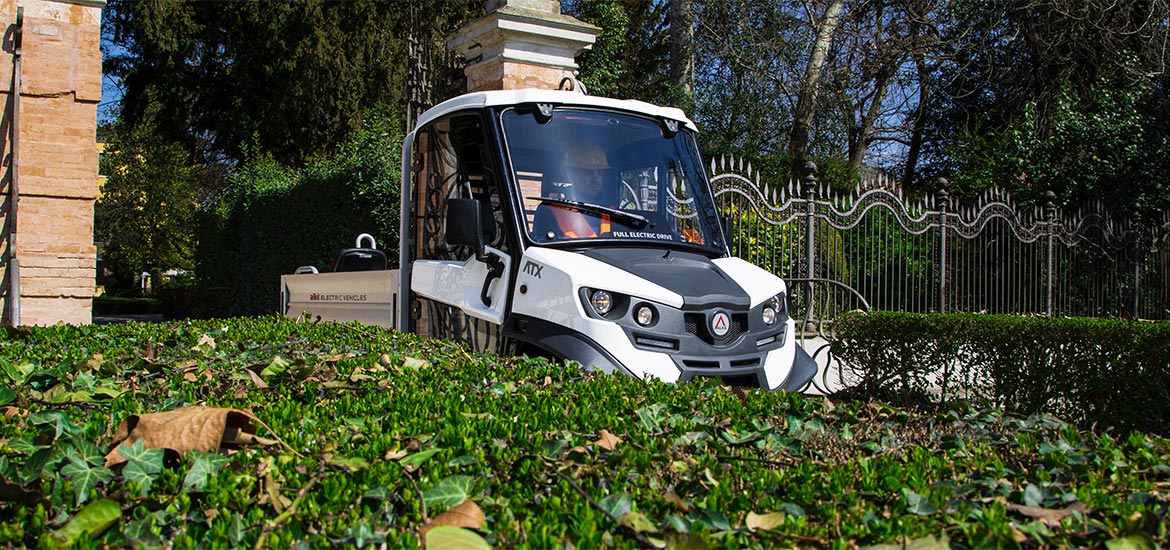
point(588, 170)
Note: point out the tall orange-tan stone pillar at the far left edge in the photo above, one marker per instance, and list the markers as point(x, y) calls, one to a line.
point(57, 168)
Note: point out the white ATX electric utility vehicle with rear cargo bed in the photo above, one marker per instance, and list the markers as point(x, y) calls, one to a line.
point(579, 228)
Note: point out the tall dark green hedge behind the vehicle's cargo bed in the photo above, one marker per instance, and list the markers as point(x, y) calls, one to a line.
point(276, 219)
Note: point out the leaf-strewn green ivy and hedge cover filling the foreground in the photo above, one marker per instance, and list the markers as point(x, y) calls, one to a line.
point(388, 434)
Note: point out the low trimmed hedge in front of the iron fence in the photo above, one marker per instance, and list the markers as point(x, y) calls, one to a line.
point(1107, 373)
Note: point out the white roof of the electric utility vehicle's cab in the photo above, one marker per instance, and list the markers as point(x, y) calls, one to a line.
point(558, 98)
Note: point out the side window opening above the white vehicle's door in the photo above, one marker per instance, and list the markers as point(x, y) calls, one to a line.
point(452, 161)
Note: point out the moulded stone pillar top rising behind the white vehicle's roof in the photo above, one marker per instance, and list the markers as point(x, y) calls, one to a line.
point(521, 44)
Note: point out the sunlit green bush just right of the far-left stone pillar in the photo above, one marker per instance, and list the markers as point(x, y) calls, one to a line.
point(146, 211)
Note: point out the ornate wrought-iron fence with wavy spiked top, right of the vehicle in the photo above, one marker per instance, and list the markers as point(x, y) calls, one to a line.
point(873, 247)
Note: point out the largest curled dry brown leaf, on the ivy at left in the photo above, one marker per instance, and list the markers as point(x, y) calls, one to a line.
point(182, 430)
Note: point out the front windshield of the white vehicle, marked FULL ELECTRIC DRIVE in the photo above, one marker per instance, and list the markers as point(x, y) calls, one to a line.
point(602, 176)
